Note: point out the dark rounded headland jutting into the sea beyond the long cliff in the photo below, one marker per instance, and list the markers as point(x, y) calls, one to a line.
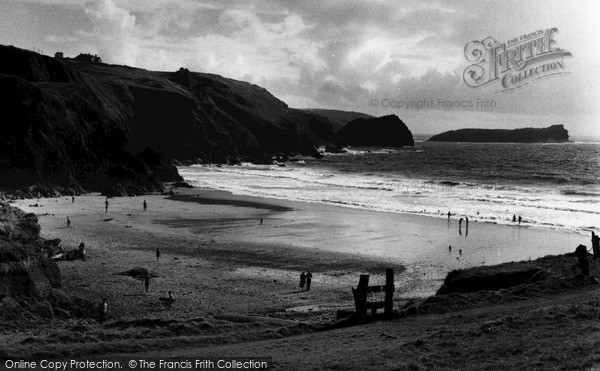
point(385, 131)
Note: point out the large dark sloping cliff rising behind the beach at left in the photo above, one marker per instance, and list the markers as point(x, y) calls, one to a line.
point(78, 126)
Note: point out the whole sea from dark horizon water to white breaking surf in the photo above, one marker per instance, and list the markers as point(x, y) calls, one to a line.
point(551, 186)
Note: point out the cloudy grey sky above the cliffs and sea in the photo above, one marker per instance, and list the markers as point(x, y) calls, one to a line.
point(378, 57)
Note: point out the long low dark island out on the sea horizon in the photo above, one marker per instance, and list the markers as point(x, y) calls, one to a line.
point(552, 134)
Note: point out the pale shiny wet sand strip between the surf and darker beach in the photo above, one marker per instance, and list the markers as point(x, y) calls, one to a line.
point(376, 233)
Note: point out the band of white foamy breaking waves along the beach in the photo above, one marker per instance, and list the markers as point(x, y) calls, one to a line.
point(570, 209)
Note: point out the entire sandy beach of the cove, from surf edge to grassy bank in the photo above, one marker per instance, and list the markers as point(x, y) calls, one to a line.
point(218, 258)
